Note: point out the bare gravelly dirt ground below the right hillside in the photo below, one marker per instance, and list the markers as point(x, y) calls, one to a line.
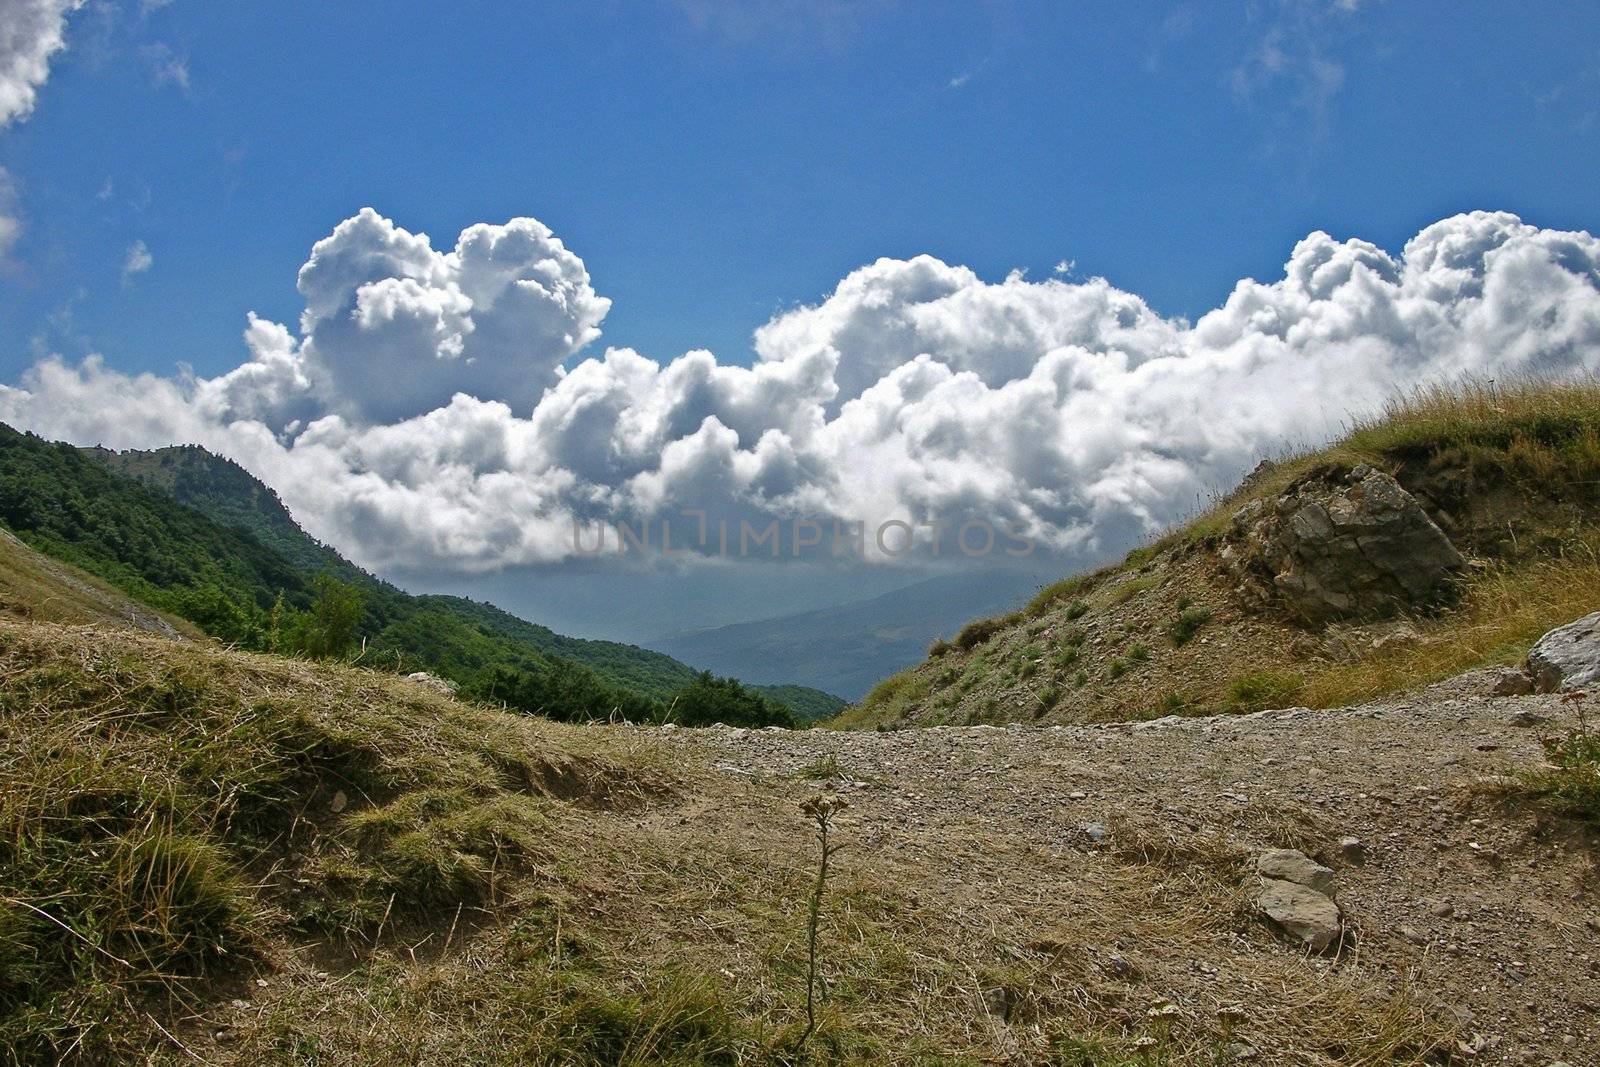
point(1103, 877)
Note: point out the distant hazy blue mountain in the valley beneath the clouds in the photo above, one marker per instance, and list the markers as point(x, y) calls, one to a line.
point(852, 647)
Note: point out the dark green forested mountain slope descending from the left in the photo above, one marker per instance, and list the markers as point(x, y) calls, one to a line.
point(196, 537)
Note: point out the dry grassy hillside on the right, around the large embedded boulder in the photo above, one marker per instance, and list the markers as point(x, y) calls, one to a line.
point(1511, 474)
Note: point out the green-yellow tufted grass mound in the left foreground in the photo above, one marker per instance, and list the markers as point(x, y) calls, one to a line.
point(177, 821)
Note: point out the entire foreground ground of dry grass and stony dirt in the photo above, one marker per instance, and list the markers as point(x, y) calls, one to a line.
point(225, 858)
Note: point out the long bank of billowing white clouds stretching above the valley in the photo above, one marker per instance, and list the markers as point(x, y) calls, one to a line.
point(428, 410)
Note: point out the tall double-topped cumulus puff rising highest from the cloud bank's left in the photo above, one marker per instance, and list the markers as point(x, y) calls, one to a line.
point(393, 329)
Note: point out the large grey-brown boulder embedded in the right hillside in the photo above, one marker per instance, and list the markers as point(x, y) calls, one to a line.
point(1343, 546)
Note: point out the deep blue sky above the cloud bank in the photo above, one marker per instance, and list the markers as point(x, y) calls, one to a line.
point(714, 164)
